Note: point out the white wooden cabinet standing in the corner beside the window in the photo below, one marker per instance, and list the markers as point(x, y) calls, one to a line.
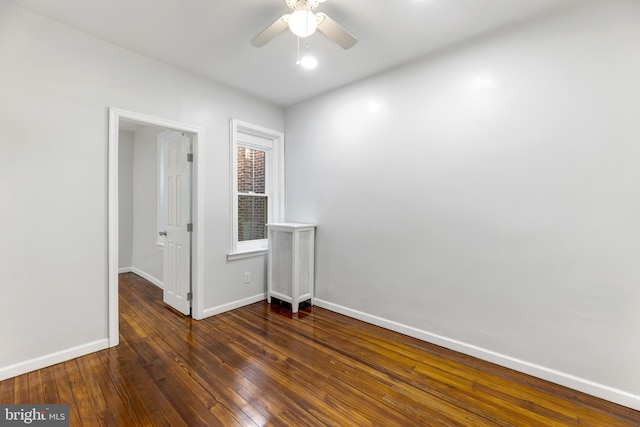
point(290, 270)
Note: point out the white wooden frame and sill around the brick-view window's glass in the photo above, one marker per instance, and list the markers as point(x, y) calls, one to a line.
point(252, 136)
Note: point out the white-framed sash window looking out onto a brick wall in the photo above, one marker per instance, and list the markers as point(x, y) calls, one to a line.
point(257, 167)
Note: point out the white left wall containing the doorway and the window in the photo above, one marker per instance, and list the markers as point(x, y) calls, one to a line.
point(56, 86)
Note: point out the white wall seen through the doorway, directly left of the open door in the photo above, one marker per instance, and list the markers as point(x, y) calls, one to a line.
point(147, 255)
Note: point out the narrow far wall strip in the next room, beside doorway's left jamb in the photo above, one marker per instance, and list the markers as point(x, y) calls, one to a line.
point(125, 199)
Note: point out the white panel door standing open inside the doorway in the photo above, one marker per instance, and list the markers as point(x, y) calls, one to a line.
point(177, 214)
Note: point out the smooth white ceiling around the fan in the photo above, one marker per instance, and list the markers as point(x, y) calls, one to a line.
point(212, 37)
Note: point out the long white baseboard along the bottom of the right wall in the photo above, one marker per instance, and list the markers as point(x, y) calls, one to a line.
point(581, 384)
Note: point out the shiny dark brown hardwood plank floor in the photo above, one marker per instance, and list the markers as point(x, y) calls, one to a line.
point(259, 365)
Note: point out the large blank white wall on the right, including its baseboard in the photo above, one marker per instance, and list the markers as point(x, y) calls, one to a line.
point(487, 198)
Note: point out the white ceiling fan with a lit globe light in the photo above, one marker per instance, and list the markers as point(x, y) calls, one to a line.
point(303, 22)
